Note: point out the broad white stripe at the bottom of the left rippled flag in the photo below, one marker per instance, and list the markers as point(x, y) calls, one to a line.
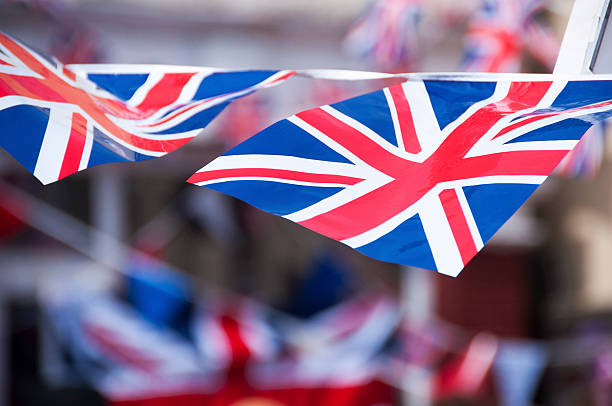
point(53, 148)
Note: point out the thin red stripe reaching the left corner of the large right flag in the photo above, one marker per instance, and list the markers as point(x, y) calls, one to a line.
point(280, 174)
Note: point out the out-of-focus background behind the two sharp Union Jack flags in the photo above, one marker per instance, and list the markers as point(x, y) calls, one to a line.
point(123, 285)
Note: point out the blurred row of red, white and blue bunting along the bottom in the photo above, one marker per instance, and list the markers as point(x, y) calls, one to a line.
point(152, 346)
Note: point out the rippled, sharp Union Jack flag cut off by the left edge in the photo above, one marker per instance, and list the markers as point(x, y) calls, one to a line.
point(57, 120)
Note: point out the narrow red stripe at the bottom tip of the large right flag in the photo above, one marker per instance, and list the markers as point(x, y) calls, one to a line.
point(458, 223)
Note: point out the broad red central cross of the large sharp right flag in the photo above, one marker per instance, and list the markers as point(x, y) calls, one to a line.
point(413, 180)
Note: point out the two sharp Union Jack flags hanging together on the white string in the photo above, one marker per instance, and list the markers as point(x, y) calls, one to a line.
point(421, 173)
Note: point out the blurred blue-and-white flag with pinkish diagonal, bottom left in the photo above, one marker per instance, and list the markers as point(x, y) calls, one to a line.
point(121, 354)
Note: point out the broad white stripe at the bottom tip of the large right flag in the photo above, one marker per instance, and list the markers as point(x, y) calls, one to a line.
point(440, 236)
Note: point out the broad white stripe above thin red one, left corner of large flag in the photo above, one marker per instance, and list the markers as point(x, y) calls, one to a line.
point(257, 161)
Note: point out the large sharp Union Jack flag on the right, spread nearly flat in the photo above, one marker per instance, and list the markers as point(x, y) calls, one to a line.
point(423, 173)
